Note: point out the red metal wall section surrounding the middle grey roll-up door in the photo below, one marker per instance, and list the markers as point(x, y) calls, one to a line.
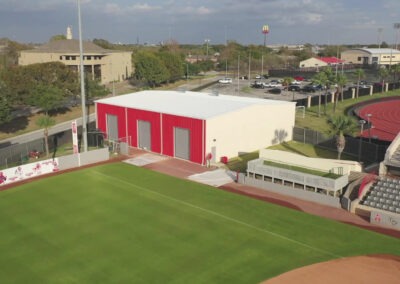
point(154, 118)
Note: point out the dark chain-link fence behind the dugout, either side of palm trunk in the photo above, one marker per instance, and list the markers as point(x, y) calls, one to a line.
point(366, 151)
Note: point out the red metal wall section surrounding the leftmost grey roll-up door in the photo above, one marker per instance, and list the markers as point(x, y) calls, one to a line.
point(103, 110)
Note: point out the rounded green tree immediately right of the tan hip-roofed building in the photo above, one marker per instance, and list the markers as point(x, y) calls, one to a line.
point(150, 68)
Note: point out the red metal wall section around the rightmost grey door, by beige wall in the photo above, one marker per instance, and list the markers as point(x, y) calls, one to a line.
point(196, 136)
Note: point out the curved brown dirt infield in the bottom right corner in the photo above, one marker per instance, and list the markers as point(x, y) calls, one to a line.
point(360, 269)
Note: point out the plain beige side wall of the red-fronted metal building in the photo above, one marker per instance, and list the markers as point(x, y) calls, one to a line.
point(250, 129)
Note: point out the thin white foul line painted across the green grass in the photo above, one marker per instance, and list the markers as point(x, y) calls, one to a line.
point(221, 216)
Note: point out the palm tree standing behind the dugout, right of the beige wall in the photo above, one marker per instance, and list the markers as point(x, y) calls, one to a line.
point(340, 125)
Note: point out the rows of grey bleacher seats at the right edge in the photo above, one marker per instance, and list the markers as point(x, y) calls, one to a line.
point(384, 194)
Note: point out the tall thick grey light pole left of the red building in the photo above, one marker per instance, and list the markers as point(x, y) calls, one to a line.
point(83, 99)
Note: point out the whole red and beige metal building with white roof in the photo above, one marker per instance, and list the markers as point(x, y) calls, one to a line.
point(194, 126)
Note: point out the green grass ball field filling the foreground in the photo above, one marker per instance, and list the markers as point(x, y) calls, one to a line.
point(121, 224)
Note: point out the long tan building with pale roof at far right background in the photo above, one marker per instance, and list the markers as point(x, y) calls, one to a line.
point(371, 56)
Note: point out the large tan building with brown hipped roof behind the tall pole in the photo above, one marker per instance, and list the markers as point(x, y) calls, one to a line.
point(102, 64)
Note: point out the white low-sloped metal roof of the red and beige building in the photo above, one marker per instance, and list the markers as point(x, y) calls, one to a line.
point(188, 104)
